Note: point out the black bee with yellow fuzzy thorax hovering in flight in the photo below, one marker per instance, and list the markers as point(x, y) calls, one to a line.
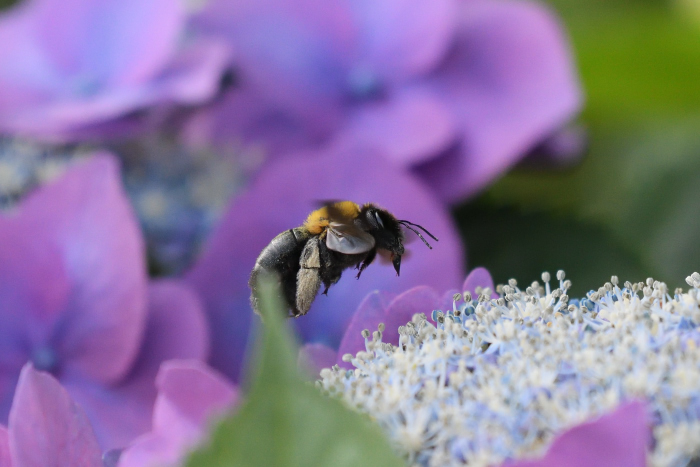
point(333, 238)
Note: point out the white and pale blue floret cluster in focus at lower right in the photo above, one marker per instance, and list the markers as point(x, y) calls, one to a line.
point(497, 379)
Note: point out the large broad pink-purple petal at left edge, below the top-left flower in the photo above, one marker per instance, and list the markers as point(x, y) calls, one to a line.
point(93, 316)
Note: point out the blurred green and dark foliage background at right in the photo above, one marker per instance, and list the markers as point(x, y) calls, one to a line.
point(632, 206)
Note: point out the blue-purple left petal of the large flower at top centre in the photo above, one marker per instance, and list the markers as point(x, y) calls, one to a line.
point(295, 52)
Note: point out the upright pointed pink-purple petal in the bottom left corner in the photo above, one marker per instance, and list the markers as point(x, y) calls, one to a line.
point(47, 429)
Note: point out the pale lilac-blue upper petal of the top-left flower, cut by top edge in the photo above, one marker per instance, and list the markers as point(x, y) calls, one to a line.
point(136, 38)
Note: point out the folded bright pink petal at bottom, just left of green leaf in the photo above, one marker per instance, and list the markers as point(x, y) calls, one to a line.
point(190, 395)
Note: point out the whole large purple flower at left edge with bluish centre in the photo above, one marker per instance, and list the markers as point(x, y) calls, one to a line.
point(75, 301)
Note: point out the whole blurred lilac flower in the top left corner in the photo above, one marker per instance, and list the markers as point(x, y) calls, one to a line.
point(69, 67)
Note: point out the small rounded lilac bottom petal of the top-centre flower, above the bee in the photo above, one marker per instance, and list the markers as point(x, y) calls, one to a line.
point(409, 127)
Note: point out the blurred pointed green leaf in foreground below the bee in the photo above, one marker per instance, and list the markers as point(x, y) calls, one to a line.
point(286, 421)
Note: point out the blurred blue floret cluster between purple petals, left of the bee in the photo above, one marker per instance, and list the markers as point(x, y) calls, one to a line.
point(179, 194)
